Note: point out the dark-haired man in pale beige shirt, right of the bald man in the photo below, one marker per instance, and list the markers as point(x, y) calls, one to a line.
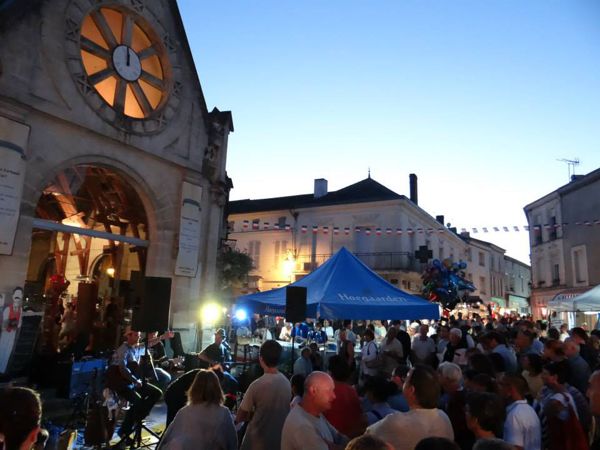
point(404, 430)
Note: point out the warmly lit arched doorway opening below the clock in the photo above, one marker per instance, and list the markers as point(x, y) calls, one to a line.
point(89, 236)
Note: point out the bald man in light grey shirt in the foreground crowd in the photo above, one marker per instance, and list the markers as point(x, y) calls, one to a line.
point(305, 426)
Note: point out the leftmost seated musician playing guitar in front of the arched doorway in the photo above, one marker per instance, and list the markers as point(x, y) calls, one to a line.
point(124, 376)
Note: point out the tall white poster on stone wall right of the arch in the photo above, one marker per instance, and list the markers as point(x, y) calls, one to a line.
point(189, 230)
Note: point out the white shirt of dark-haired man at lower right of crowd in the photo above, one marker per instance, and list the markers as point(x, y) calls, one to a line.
point(522, 426)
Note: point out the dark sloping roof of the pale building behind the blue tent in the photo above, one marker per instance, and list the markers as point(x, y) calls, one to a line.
point(367, 190)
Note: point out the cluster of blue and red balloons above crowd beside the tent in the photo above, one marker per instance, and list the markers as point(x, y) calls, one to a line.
point(445, 282)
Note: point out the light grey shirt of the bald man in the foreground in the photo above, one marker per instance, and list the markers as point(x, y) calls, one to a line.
point(304, 431)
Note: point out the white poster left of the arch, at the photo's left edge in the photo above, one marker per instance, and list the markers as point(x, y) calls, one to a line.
point(13, 139)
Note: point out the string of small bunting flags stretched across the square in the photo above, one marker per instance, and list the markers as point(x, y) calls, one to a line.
point(256, 225)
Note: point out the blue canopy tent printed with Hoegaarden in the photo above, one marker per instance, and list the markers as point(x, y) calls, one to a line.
point(345, 288)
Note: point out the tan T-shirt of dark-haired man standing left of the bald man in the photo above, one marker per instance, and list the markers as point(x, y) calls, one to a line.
point(268, 400)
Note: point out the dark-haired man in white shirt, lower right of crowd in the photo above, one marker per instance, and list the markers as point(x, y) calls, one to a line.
point(522, 427)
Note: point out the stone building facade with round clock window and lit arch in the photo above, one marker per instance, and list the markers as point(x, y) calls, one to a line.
point(114, 166)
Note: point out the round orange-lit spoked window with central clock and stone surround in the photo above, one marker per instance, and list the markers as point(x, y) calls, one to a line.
point(120, 59)
